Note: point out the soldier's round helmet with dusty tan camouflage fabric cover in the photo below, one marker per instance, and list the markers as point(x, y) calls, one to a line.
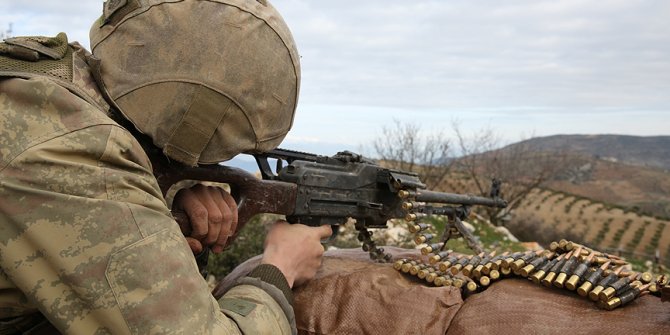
point(205, 79)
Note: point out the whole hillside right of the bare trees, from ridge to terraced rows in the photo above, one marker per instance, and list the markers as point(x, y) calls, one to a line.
point(615, 196)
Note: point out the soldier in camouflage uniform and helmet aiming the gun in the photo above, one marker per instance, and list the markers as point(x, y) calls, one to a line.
point(87, 241)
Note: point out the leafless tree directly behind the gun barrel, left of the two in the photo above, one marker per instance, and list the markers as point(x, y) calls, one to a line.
point(406, 147)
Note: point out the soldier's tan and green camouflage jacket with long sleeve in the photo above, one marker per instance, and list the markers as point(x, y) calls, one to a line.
point(86, 238)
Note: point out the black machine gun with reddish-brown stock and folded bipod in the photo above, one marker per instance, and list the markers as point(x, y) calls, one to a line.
point(318, 190)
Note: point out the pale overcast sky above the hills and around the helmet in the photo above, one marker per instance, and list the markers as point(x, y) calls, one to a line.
point(522, 67)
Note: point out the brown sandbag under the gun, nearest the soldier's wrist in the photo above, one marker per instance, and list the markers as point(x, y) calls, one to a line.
point(353, 295)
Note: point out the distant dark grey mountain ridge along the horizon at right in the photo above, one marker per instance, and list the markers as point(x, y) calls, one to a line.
point(649, 151)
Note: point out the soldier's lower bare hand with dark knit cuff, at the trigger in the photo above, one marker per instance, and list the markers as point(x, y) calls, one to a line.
point(295, 249)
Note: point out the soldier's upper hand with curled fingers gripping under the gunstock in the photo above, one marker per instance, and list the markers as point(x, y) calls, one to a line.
point(212, 214)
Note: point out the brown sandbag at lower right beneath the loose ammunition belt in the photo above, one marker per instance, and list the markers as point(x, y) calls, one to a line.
point(517, 306)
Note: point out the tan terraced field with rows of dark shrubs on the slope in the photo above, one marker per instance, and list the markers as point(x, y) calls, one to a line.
point(592, 223)
